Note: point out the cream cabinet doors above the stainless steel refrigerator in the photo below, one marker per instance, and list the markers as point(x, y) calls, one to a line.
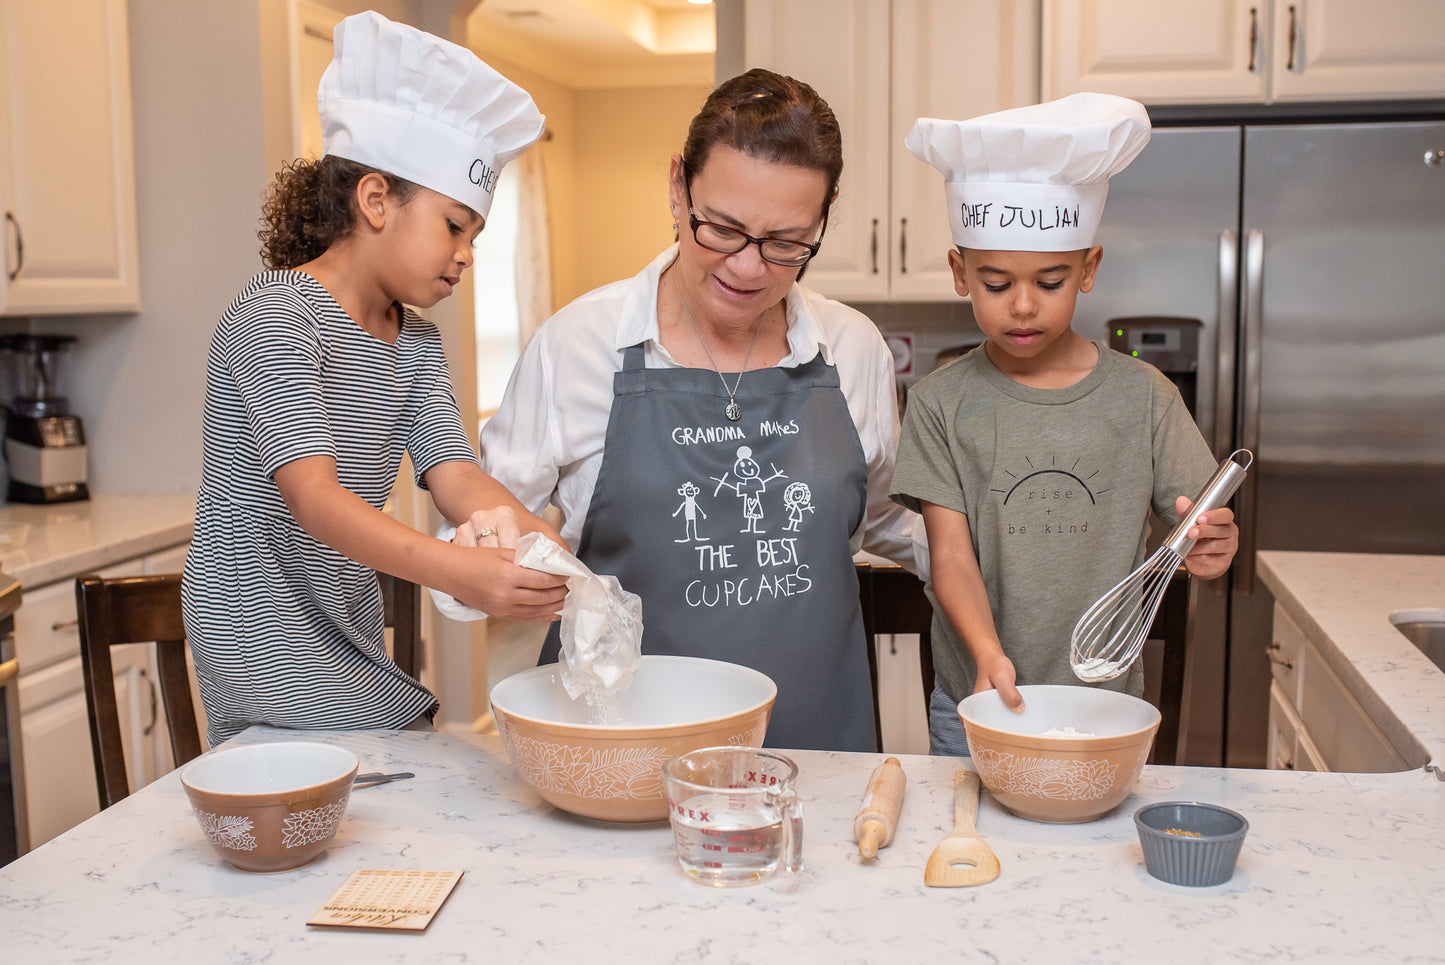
point(1245, 51)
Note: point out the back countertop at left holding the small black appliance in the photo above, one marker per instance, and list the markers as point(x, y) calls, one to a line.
point(44, 544)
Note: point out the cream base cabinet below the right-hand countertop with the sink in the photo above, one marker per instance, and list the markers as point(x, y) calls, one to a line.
point(1314, 722)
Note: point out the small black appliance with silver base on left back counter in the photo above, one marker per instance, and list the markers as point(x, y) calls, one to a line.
point(44, 441)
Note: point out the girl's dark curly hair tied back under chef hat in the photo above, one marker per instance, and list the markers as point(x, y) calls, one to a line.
point(311, 206)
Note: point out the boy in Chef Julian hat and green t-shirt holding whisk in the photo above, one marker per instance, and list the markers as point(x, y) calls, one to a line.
point(1037, 459)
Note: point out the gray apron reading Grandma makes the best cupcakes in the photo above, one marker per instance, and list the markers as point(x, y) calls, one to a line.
point(736, 535)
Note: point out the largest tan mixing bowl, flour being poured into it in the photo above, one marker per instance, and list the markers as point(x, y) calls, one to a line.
point(613, 772)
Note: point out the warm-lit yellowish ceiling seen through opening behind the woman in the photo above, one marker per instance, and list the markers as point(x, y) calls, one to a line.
point(599, 44)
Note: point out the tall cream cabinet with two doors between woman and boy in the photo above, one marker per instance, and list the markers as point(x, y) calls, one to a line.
point(882, 64)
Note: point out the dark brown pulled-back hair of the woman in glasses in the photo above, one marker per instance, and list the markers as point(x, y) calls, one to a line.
point(769, 118)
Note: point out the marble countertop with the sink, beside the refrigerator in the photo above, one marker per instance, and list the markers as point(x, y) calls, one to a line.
point(1343, 603)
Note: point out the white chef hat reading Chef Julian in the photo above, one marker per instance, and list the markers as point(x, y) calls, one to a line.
point(1032, 178)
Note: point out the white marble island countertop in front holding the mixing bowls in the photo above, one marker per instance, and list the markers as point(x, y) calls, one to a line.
point(1336, 869)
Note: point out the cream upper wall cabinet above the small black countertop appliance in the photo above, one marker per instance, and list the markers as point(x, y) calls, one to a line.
point(67, 165)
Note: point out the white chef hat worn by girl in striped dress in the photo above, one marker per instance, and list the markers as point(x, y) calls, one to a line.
point(423, 109)
